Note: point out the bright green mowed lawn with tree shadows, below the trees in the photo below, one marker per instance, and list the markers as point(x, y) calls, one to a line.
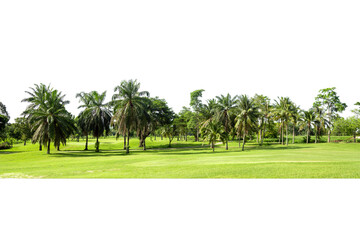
point(185, 160)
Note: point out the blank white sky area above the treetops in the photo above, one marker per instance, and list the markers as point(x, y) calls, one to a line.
point(275, 48)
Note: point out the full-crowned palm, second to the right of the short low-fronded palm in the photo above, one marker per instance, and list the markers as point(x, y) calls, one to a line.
point(247, 117)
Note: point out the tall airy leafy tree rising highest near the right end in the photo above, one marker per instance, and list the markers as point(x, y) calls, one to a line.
point(329, 100)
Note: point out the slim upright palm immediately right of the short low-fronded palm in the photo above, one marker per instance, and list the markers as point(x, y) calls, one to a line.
point(225, 107)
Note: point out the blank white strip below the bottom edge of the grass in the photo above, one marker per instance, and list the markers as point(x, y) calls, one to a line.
point(179, 209)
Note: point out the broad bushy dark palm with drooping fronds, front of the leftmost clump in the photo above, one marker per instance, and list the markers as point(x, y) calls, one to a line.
point(51, 121)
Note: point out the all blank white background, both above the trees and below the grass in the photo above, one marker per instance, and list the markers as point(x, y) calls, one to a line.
point(276, 48)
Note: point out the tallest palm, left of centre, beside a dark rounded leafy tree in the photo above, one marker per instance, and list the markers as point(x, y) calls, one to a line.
point(129, 107)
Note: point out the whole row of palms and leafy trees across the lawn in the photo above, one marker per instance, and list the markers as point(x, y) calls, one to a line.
point(132, 112)
